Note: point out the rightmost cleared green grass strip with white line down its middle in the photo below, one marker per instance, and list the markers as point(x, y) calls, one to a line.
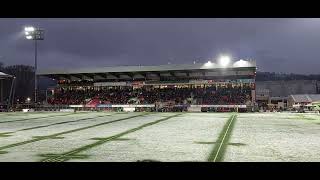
point(219, 149)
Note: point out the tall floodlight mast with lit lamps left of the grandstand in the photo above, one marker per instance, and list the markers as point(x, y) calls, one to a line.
point(35, 34)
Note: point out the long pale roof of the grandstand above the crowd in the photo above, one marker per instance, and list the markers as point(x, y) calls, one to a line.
point(135, 72)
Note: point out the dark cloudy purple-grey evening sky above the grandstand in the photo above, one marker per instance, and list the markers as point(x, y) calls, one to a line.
point(278, 45)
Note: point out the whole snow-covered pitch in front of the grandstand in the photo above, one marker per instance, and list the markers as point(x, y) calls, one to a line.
point(188, 137)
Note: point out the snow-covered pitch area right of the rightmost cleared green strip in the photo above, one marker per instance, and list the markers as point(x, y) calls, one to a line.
point(275, 137)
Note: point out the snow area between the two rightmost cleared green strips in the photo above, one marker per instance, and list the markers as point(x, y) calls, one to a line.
point(172, 140)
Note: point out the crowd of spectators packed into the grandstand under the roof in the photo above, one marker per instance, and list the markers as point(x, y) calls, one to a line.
point(128, 95)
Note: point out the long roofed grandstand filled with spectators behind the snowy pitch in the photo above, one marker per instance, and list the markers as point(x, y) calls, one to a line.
point(189, 87)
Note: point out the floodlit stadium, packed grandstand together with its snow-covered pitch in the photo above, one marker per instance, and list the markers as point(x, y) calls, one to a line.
point(177, 113)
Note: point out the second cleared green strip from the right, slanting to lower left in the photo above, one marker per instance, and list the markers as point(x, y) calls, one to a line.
point(73, 153)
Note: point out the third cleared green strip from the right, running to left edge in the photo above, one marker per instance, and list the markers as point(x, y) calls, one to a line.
point(65, 132)
